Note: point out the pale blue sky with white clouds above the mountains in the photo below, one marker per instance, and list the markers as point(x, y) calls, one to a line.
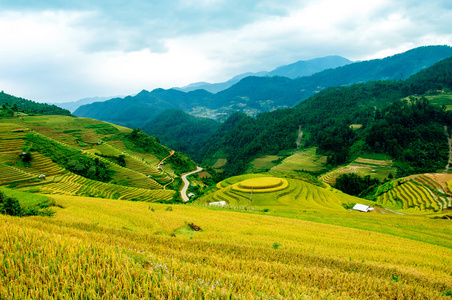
point(58, 51)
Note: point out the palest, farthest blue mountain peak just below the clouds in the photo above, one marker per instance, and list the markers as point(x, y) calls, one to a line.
point(297, 69)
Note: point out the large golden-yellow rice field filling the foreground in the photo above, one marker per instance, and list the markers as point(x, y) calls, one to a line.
point(110, 249)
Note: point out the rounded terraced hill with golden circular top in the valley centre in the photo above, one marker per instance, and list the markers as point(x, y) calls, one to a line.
point(291, 191)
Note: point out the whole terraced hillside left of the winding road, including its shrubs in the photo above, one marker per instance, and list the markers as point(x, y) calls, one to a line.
point(82, 157)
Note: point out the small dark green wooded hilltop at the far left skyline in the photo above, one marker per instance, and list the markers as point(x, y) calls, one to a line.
point(10, 105)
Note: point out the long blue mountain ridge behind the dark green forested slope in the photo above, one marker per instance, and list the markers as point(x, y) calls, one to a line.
point(253, 95)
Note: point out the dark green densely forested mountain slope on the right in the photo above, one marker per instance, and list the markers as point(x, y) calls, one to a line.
point(326, 119)
